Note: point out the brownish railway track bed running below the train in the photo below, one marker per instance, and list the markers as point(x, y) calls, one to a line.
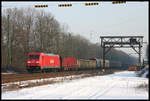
point(6, 78)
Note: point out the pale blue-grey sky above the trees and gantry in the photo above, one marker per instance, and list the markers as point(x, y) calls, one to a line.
point(94, 21)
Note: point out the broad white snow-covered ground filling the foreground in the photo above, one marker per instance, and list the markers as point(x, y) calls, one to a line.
point(121, 85)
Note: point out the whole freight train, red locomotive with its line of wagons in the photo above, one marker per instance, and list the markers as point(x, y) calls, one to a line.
point(52, 62)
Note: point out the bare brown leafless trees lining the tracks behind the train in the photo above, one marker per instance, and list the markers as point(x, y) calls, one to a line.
point(32, 30)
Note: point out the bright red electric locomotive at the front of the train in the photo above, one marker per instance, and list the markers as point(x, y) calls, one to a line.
point(43, 62)
